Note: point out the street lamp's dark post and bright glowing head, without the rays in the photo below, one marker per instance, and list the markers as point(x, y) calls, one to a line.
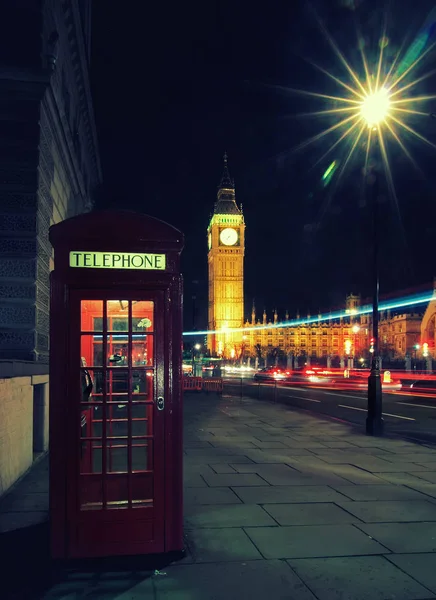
point(374, 110)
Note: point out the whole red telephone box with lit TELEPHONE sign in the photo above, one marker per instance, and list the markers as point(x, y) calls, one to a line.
point(115, 386)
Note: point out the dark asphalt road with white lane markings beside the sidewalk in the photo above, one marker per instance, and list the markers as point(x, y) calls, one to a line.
point(413, 416)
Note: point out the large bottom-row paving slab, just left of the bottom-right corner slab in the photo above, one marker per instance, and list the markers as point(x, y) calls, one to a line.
point(358, 578)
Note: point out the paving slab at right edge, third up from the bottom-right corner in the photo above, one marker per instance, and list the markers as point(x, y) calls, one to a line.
point(392, 511)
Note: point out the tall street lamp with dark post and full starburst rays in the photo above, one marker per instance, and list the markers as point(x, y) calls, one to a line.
point(376, 106)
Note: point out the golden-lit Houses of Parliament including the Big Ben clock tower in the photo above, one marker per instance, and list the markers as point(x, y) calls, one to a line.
point(232, 337)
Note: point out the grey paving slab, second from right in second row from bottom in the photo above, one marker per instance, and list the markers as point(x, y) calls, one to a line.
point(313, 541)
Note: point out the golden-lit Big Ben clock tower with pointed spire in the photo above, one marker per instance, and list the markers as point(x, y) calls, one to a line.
point(226, 237)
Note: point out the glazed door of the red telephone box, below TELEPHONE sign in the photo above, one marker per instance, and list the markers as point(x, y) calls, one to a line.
point(116, 409)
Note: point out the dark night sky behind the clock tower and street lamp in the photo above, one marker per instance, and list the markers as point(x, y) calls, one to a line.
point(178, 83)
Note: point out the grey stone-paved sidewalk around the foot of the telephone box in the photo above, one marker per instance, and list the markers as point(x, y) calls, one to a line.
point(279, 504)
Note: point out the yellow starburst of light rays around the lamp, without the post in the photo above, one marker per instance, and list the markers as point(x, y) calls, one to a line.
point(376, 95)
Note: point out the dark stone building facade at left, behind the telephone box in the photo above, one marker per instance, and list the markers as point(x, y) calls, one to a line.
point(49, 168)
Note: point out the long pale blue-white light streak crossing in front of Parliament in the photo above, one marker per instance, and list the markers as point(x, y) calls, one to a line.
point(363, 310)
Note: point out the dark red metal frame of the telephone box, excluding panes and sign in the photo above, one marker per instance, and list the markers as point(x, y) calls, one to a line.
point(113, 231)
